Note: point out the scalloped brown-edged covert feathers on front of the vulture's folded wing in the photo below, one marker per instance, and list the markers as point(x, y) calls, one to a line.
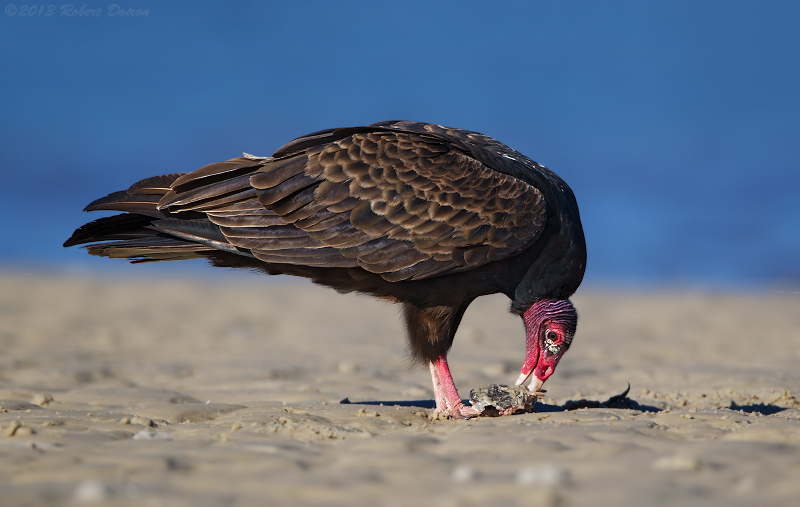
point(419, 203)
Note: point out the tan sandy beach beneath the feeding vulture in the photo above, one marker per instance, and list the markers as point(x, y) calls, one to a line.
point(172, 392)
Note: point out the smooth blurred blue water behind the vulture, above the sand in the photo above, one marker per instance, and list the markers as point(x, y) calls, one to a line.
point(677, 124)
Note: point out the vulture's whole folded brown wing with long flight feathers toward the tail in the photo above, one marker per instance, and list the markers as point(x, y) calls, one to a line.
point(400, 204)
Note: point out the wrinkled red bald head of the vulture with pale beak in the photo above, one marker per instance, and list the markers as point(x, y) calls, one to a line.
point(549, 325)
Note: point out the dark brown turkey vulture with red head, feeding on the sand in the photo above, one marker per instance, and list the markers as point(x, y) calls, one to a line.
point(422, 215)
